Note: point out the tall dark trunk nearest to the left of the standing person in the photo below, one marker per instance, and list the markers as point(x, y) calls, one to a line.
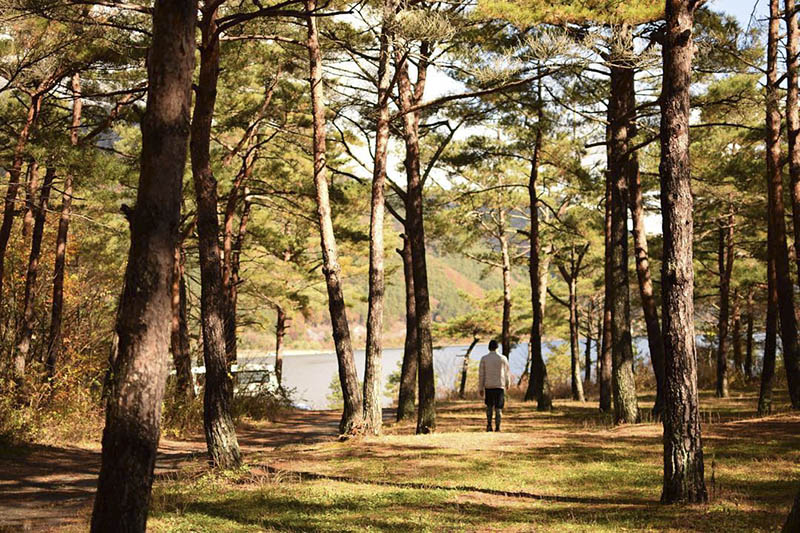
point(426, 409)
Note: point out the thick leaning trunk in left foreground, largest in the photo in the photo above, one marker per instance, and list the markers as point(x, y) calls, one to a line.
point(133, 413)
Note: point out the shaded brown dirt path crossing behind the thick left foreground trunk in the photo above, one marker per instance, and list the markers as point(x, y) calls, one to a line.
point(47, 486)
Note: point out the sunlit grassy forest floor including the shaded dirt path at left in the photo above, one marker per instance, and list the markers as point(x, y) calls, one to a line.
point(568, 470)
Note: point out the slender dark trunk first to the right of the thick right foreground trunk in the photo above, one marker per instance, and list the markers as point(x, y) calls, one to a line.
point(725, 265)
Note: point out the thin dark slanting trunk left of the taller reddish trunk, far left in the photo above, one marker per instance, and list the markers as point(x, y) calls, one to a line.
point(23, 345)
